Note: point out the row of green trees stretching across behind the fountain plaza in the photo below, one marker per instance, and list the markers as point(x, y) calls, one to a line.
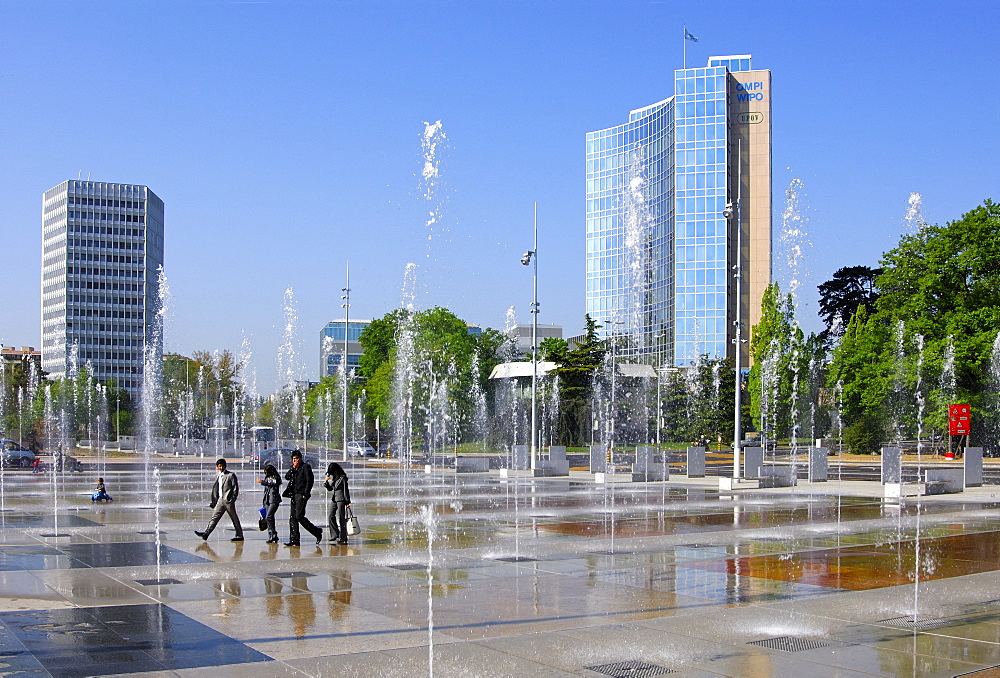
point(902, 341)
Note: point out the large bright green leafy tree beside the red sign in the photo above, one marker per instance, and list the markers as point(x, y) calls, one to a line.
point(938, 304)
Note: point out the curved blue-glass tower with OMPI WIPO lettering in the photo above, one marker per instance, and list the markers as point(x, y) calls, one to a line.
point(662, 248)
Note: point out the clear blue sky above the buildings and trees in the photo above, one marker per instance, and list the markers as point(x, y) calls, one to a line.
point(284, 138)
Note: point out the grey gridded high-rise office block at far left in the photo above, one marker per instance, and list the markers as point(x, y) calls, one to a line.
point(102, 248)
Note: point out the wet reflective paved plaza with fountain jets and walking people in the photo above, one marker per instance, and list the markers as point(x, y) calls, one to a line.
point(472, 575)
